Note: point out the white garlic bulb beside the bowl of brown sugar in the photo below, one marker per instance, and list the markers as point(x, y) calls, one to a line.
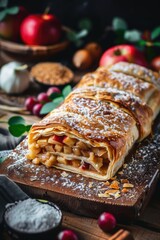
point(14, 77)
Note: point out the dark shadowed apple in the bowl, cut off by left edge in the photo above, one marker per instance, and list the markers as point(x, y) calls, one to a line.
point(10, 25)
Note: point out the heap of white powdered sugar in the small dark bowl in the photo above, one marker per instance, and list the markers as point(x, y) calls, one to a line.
point(32, 216)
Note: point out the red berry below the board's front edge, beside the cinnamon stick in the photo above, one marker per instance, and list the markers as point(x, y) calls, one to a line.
point(106, 222)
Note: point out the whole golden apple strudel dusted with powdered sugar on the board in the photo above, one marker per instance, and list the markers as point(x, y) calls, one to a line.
point(97, 125)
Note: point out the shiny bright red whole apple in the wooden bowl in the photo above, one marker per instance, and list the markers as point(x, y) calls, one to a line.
point(40, 29)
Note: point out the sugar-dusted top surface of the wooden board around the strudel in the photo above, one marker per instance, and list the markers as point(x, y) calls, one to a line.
point(142, 163)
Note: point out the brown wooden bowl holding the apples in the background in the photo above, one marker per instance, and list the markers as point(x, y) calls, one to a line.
point(31, 52)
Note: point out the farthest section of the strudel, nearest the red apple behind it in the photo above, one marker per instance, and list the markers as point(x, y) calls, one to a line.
point(104, 78)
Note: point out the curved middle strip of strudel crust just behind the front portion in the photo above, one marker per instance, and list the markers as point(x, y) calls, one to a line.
point(130, 103)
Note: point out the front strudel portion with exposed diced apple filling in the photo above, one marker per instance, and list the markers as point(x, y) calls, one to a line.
point(89, 134)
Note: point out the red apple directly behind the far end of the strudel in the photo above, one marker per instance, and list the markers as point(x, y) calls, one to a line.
point(125, 53)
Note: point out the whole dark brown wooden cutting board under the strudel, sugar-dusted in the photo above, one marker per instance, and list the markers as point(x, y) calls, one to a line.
point(79, 194)
